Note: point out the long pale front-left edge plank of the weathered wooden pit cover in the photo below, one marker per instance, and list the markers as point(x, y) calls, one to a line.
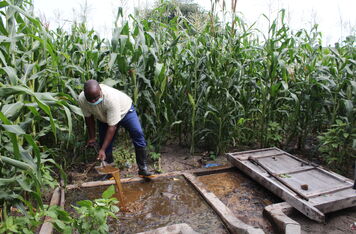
point(279, 189)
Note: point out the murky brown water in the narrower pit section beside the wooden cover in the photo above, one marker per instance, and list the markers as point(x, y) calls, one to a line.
point(243, 196)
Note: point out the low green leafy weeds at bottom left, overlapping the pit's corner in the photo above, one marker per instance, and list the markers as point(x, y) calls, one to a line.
point(90, 217)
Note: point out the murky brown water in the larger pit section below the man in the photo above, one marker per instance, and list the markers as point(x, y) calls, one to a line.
point(155, 204)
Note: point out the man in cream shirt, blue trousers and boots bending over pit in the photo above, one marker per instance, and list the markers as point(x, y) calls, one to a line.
point(112, 108)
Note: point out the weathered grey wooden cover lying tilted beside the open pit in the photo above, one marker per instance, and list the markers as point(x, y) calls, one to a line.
point(307, 187)
